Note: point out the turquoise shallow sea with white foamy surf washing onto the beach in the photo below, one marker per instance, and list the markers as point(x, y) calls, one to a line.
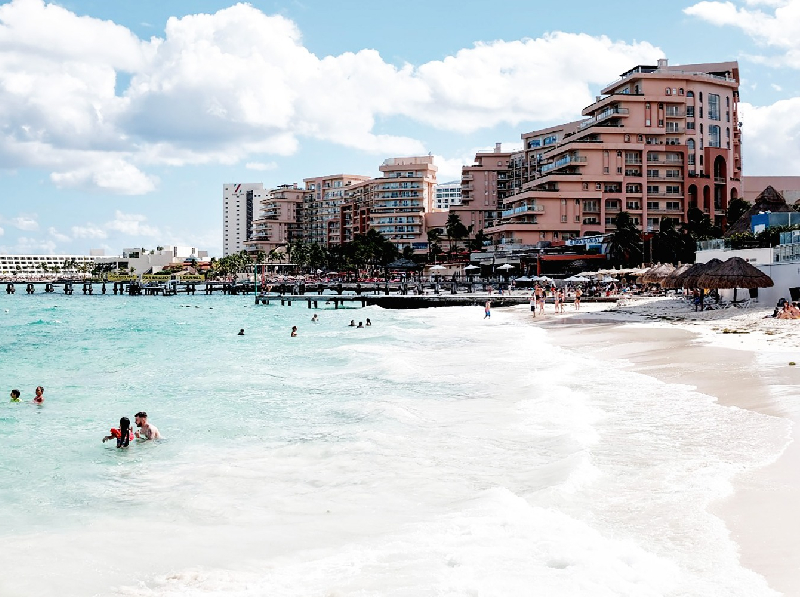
point(433, 453)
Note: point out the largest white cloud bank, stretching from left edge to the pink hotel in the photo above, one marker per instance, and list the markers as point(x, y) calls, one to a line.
point(220, 88)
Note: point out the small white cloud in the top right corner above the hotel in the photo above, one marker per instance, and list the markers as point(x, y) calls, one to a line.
point(779, 29)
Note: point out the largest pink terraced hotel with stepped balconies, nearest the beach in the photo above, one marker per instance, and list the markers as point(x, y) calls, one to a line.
point(657, 142)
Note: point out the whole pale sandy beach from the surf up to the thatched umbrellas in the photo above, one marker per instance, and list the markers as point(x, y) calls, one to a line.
point(759, 512)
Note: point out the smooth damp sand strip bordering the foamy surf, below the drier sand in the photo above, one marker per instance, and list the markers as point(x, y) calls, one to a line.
point(761, 513)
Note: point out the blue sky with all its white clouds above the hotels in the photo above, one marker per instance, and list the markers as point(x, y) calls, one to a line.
point(121, 121)
